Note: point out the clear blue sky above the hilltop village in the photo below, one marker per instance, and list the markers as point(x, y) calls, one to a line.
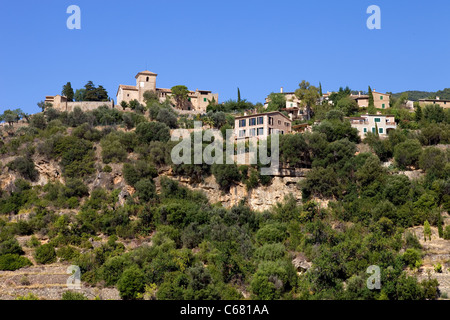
point(257, 46)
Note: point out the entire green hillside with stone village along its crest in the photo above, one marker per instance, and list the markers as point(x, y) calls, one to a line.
point(90, 183)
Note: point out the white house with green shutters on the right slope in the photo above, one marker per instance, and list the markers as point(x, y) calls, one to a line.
point(372, 123)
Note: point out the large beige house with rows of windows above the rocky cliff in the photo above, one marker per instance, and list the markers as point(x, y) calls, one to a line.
point(261, 125)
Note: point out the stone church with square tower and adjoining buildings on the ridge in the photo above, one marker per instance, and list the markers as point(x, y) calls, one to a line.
point(198, 100)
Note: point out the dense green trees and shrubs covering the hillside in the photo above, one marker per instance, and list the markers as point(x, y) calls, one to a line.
point(200, 250)
